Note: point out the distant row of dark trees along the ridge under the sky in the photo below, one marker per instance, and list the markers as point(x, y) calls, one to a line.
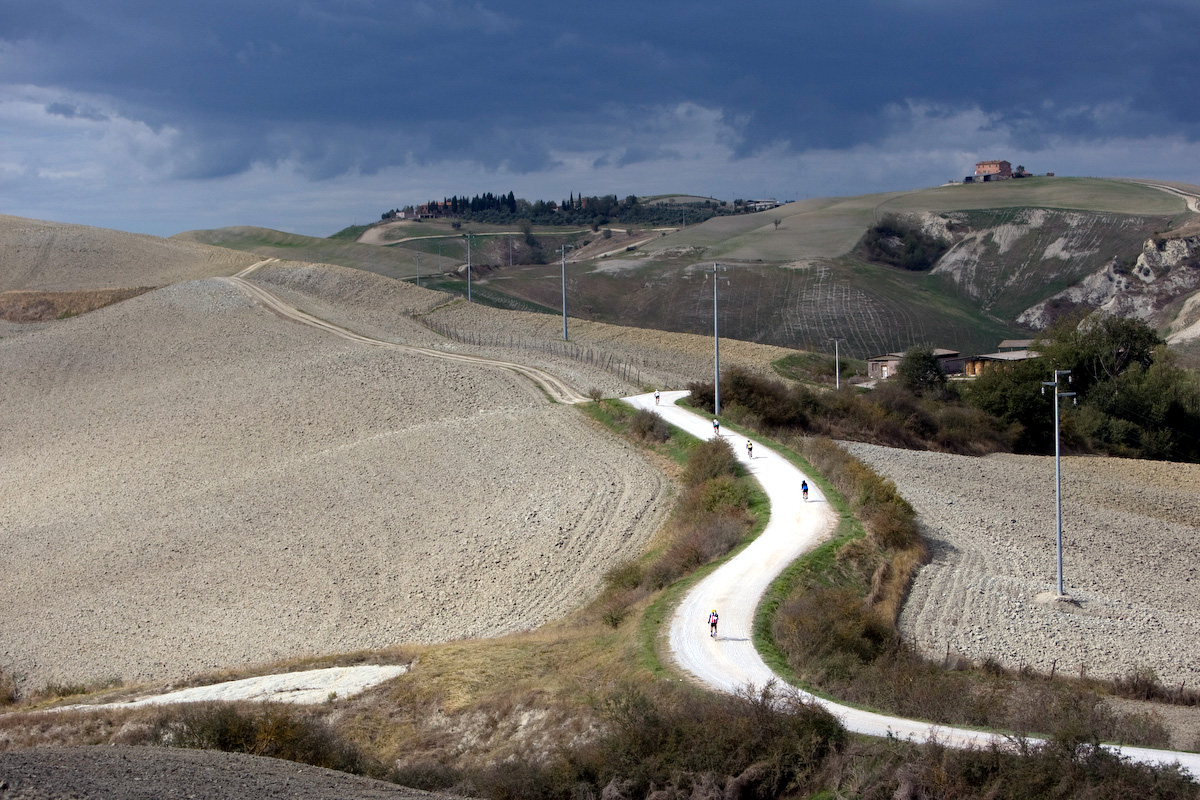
point(575, 210)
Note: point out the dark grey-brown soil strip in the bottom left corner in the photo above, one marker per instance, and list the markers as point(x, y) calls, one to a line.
point(124, 773)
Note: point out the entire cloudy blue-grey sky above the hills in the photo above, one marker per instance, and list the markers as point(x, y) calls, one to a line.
point(310, 116)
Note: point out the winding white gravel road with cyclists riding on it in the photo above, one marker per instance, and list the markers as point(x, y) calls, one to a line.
point(731, 663)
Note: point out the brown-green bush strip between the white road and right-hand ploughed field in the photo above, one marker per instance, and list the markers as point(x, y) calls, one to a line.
point(838, 630)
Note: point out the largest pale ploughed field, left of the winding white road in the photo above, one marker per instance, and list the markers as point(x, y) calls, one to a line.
point(193, 484)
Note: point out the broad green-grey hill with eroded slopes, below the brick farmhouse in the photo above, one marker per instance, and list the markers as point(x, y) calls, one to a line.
point(801, 282)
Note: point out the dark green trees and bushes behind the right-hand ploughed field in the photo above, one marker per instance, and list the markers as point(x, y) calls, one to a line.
point(1133, 400)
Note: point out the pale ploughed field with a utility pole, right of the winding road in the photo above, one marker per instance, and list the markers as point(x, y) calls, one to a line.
point(1132, 562)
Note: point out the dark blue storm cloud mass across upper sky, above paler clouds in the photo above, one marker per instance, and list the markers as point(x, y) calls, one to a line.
point(358, 86)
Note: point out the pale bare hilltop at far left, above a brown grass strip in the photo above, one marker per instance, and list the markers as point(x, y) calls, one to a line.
point(56, 257)
